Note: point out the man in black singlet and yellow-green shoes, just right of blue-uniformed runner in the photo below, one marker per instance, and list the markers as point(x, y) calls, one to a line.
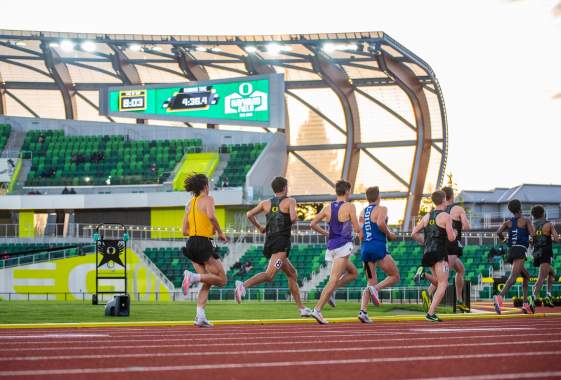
point(437, 227)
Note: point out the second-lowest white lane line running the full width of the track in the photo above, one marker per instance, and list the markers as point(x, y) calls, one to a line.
point(273, 351)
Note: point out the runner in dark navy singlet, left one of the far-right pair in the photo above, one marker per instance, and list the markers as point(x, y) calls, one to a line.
point(519, 230)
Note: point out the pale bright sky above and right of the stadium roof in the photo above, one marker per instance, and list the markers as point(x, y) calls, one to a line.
point(498, 61)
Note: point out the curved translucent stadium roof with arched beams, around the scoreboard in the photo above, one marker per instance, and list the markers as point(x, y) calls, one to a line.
point(360, 106)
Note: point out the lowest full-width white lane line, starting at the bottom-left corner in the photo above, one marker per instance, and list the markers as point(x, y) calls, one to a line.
point(195, 367)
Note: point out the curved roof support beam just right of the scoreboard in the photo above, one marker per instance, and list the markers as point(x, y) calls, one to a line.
point(338, 80)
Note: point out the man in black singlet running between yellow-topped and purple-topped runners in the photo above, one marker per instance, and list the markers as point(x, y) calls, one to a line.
point(280, 212)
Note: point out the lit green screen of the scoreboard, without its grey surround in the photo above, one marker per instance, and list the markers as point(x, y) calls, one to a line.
point(243, 100)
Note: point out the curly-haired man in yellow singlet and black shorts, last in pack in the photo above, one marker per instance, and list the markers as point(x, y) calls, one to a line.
point(200, 224)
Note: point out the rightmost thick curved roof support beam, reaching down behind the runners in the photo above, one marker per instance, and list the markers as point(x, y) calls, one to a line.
point(413, 87)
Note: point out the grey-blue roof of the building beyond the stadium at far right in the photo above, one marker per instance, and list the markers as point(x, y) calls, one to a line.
point(526, 193)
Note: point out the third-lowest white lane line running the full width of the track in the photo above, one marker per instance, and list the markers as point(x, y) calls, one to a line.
point(288, 342)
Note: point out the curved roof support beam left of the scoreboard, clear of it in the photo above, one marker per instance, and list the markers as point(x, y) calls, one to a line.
point(59, 71)
